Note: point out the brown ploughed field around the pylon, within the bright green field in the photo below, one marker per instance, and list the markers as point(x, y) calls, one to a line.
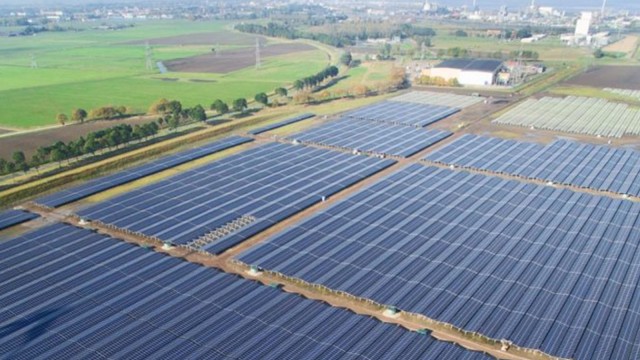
point(231, 60)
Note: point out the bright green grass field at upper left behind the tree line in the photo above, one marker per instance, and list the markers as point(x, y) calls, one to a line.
point(93, 68)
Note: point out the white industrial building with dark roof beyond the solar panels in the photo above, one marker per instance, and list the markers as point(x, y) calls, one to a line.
point(476, 72)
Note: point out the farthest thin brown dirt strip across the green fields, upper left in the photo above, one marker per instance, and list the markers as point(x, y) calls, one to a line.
point(212, 38)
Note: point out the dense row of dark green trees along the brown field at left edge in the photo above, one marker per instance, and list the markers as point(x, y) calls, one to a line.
point(95, 141)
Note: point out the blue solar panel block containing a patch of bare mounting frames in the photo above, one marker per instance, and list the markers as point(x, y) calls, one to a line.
point(223, 203)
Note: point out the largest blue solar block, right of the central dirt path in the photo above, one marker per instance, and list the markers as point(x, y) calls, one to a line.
point(549, 269)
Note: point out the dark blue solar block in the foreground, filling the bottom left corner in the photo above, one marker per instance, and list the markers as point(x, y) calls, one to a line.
point(70, 293)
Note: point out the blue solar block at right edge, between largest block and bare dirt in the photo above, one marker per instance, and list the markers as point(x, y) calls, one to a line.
point(564, 162)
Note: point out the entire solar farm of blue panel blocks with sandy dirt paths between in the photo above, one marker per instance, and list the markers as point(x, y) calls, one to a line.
point(370, 234)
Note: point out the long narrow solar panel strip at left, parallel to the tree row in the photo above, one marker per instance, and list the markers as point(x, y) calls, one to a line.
point(122, 177)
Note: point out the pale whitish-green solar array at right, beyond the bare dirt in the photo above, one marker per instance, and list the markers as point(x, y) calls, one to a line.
point(581, 115)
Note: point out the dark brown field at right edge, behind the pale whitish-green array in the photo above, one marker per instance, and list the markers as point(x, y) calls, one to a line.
point(623, 77)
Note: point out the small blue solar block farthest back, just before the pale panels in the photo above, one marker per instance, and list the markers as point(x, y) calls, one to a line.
point(370, 137)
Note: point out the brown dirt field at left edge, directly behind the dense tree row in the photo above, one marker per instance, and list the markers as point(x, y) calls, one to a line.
point(30, 141)
